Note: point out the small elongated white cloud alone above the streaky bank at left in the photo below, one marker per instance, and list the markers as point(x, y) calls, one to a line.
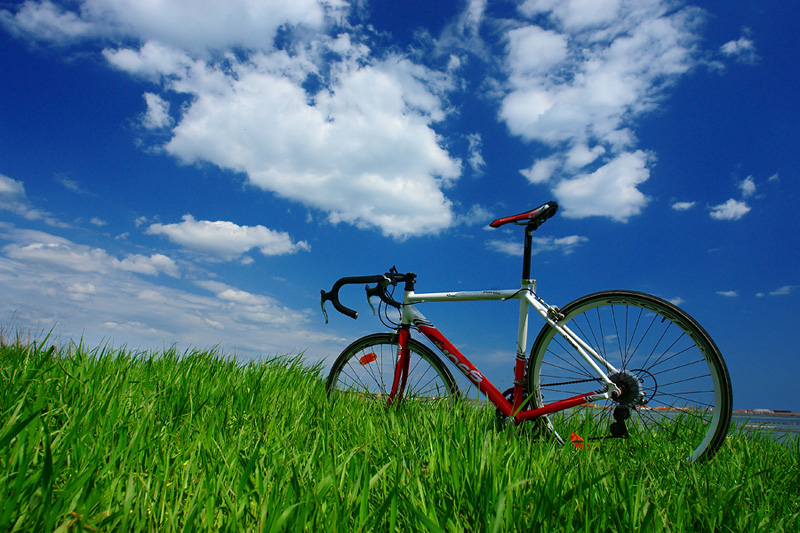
point(226, 239)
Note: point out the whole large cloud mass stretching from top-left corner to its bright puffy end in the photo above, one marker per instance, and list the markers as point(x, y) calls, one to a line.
point(304, 107)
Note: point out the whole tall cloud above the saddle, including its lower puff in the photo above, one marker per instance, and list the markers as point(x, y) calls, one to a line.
point(579, 73)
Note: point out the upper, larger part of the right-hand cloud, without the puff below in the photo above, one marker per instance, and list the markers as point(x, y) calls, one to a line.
point(607, 76)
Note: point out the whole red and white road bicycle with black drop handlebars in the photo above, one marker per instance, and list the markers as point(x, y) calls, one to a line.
point(616, 365)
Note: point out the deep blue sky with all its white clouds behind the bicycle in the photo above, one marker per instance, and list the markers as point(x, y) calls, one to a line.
point(195, 172)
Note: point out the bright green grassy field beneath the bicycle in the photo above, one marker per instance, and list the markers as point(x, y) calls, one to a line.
point(116, 440)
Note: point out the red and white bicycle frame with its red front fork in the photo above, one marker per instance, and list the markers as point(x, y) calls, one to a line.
point(411, 317)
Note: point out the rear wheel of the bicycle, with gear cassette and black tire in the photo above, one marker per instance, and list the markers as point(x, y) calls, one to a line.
point(676, 390)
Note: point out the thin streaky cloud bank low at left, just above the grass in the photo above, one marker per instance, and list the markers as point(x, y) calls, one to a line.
point(87, 294)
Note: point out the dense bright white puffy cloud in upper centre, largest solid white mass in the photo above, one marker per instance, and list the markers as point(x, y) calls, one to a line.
point(363, 152)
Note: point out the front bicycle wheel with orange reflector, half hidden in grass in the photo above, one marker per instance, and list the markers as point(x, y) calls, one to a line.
point(366, 369)
